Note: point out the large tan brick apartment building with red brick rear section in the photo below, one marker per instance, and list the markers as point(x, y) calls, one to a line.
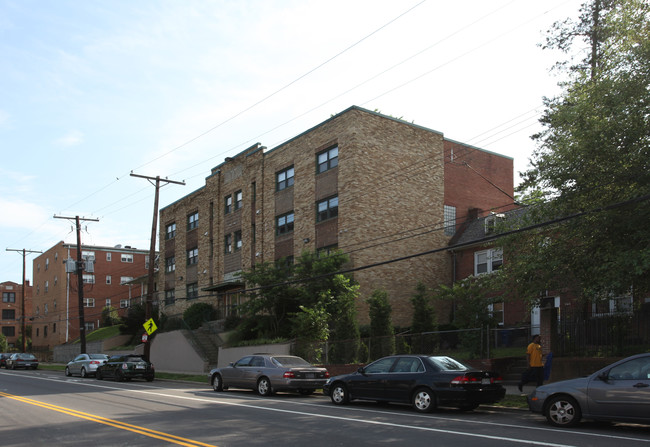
point(375, 187)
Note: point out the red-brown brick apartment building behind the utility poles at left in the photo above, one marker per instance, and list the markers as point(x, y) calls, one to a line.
point(55, 302)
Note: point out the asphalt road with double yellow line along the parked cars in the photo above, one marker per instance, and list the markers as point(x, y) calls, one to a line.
point(38, 407)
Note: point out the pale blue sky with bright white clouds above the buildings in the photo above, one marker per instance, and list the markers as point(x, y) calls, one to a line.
point(91, 91)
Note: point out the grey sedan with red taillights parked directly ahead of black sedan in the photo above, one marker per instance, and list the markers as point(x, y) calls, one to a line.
point(268, 373)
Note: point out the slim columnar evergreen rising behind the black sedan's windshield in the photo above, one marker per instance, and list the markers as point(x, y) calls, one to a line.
point(382, 334)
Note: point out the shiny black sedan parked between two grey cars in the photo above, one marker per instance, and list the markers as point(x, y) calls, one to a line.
point(425, 382)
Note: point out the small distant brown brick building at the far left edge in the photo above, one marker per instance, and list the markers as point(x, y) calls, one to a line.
point(12, 310)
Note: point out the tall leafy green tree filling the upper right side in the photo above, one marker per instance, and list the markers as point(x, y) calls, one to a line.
point(592, 156)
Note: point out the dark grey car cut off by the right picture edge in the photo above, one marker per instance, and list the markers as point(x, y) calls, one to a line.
point(618, 392)
